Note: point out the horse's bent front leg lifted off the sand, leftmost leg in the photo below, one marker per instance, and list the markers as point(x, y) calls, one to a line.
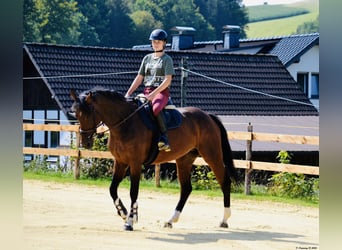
point(118, 175)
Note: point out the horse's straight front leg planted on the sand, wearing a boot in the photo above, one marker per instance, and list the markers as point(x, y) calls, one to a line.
point(135, 174)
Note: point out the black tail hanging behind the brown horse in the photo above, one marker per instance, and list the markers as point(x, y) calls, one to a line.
point(226, 150)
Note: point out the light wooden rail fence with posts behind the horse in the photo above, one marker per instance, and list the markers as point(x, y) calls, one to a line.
point(247, 164)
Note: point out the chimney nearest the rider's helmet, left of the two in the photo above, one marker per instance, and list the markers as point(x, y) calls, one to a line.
point(182, 38)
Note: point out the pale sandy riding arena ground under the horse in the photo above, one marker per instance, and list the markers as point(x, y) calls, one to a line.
point(69, 216)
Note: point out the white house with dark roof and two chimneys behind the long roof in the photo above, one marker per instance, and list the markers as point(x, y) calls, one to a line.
point(298, 53)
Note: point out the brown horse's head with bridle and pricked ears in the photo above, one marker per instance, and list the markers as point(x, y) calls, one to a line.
point(86, 115)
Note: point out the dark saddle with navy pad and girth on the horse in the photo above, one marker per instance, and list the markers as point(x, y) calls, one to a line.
point(173, 119)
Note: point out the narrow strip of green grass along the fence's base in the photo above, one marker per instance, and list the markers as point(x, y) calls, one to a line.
point(166, 187)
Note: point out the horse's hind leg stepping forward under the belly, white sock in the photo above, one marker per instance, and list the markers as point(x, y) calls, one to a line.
point(184, 166)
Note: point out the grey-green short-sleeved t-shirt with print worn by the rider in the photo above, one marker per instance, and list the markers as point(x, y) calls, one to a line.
point(154, 69)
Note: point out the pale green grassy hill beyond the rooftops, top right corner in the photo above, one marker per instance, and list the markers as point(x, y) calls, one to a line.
point(278, 20)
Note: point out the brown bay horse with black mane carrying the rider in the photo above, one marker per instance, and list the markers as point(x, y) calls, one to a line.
point(200, 134)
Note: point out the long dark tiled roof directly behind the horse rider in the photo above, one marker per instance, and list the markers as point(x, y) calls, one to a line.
point(220, 83)
